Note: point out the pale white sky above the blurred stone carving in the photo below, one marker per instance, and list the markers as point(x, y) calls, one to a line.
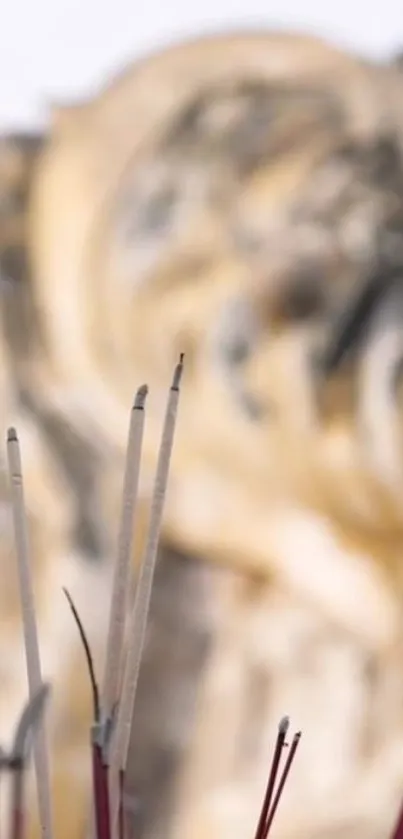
point(52, 51)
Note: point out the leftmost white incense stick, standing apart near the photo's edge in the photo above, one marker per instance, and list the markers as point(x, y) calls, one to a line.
point(35, 682)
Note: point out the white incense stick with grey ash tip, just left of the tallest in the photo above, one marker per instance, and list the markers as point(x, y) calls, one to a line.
point(119, 601)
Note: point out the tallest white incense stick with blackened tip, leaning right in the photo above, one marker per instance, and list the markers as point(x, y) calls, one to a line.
point(139, 615)
